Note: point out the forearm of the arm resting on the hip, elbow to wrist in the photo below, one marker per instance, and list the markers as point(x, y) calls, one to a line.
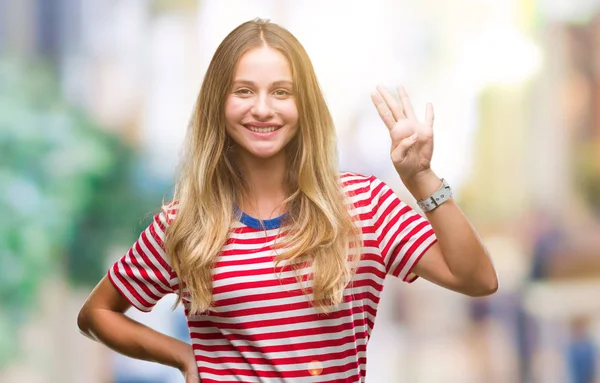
point(128, 337)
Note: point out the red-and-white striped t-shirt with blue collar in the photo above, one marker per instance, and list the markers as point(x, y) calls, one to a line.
point(262, 327)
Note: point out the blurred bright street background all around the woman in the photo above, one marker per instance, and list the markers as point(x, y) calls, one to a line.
point(95, 96)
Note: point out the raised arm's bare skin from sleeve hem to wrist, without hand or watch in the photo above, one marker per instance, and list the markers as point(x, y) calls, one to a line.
point(459, 260)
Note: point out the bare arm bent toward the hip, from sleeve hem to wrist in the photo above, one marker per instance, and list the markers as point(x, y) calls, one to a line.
point(102, 319)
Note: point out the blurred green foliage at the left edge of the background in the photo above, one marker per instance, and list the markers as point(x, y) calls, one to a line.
point(68, 194)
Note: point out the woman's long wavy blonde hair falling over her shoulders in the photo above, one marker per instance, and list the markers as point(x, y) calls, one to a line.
point(319, 227)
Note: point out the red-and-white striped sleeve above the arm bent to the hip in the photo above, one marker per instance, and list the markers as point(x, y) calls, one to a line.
point(143, 275)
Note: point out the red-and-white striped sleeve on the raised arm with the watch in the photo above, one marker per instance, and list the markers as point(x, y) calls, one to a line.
point(403, 235)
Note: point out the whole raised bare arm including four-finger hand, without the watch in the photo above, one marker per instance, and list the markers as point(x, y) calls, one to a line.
point(458, 260)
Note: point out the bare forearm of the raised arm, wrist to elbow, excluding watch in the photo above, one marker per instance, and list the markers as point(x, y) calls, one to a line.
point(461, 246)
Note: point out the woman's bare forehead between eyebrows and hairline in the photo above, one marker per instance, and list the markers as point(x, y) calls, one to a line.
point(263, 63)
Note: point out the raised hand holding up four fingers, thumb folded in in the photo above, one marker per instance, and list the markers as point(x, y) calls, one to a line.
point(412, 140)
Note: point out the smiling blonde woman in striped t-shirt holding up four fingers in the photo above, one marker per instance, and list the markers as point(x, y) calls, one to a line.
point(278, 258)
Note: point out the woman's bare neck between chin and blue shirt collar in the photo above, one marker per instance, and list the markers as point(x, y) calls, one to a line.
point(265, 179)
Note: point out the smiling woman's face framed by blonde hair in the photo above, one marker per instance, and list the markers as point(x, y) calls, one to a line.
point(260, 112)
